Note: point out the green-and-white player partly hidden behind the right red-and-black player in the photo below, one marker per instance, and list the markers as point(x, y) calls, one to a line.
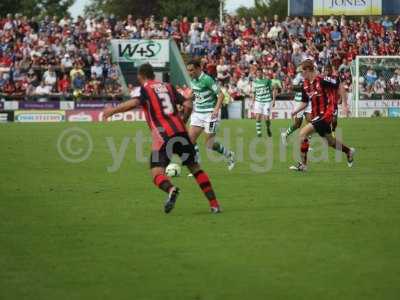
point(304, 114)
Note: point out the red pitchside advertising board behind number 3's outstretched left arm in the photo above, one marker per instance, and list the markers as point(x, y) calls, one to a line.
point(97, 116)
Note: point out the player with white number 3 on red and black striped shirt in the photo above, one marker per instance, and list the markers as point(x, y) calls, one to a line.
point(159, 101)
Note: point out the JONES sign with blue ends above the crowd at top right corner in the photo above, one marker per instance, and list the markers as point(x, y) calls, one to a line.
point(343, 7)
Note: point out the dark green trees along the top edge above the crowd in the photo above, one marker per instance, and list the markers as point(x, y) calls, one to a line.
point(141, 8)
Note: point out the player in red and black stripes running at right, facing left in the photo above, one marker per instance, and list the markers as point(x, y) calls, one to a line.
point(316, 90)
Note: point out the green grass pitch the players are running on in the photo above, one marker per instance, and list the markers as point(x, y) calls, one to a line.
point(78, 231)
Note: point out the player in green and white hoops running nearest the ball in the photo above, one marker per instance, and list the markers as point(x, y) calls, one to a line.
point(207, 100)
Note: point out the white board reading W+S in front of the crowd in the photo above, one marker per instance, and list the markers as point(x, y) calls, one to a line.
point(155, 52)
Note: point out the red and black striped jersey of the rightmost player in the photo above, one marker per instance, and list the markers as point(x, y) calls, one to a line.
point(322, 93)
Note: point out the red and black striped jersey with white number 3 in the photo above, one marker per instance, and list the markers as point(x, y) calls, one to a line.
point(159, 101)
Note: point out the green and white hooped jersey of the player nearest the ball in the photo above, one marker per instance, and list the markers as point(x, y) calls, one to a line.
point(205, 91)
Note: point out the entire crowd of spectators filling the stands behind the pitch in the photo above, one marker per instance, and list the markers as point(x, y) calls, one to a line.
point(66, 58)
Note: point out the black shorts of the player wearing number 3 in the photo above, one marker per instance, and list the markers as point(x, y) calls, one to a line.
point(180, 145)
